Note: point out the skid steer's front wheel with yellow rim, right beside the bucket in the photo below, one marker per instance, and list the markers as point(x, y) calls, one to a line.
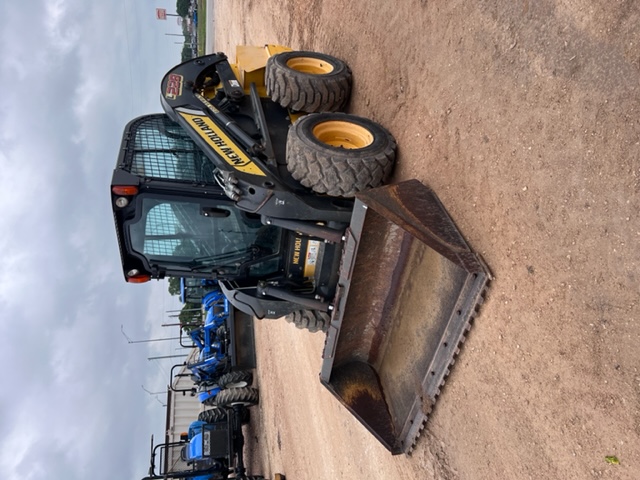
point(338, 154)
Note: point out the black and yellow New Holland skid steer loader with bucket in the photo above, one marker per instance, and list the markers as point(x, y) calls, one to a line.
point(253, 177)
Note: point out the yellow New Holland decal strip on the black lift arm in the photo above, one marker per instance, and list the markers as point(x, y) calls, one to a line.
point(222, 144)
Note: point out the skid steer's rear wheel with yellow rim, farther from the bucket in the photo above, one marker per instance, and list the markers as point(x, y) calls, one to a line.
point(308, 81)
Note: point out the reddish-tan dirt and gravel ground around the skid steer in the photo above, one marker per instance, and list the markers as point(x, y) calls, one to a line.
point(523, 116)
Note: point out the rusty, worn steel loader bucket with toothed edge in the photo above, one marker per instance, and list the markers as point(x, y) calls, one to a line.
point(409, 287)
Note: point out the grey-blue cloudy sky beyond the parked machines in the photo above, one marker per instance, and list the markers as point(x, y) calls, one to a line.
point(72, 405)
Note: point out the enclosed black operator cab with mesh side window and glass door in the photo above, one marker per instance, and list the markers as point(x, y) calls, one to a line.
point(172, 216)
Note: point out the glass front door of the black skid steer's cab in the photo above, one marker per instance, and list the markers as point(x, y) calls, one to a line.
point(204, 236)
